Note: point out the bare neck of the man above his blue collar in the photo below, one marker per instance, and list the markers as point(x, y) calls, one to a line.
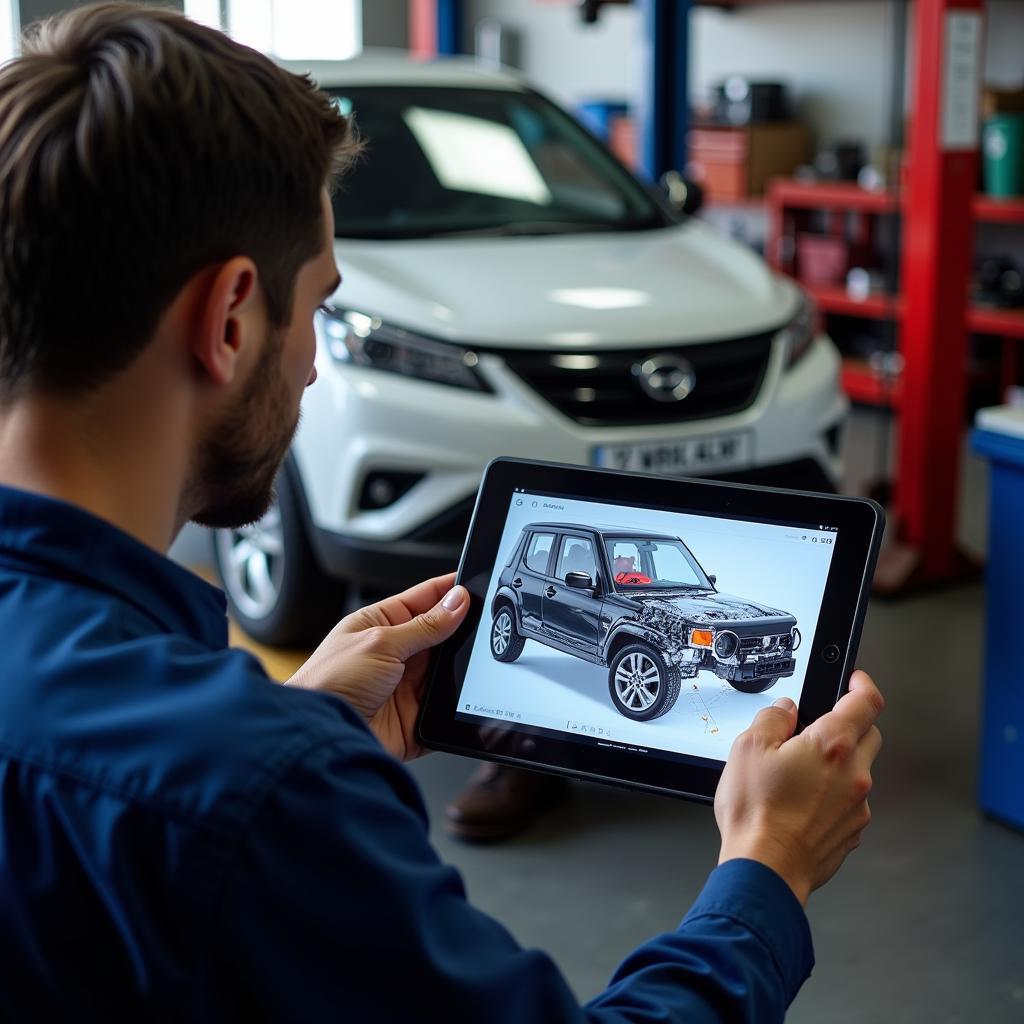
point(131, 477)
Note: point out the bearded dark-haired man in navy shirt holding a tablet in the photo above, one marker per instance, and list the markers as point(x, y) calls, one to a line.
point(182, 839)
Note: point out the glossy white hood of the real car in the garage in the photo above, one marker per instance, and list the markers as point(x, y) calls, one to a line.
point(670, 286)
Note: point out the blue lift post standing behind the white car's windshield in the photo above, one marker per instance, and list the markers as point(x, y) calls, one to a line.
point(663, 113)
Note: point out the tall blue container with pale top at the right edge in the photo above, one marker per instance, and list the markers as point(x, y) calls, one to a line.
point(999, 436)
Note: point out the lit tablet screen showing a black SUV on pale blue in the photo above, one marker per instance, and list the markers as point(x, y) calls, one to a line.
point(644, 630)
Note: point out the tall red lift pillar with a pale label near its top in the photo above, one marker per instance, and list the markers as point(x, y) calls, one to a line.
point(938, 248)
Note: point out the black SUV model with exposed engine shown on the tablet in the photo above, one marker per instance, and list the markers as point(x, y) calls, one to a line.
point(641, 605)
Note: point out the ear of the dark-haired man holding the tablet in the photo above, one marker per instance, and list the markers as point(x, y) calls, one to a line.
point(229, 318)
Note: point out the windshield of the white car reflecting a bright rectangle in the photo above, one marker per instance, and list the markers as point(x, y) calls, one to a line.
point(480, 162)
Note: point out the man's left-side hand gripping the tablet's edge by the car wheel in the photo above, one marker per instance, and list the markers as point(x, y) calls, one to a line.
point(377, 658)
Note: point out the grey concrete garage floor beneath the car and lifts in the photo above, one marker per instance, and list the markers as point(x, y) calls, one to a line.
point(924, 922)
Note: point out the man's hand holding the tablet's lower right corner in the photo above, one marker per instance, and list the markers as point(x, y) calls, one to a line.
point(799, 804)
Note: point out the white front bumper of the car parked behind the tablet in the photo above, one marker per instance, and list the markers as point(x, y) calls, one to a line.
point(357, 422)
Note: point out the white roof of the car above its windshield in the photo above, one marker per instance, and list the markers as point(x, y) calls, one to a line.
point(388, 67)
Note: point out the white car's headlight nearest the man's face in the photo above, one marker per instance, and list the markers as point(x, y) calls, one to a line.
point(365, 342)
